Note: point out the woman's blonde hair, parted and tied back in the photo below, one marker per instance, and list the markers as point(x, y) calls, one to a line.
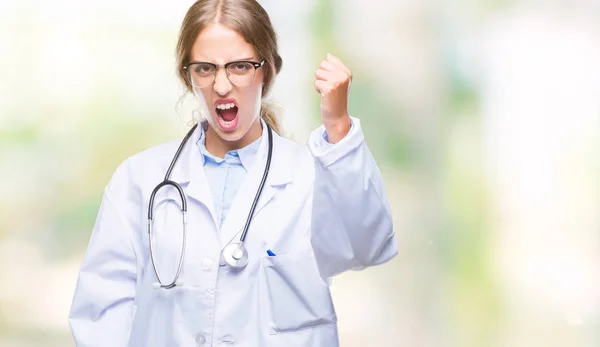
point(248, 18)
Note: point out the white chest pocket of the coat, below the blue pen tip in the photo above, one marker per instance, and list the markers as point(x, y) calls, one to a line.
point(298, 298)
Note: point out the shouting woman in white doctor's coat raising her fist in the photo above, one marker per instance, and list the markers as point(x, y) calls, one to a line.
point(321, 209)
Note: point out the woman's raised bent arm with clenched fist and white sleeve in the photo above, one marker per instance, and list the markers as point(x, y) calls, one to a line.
point(351, 220)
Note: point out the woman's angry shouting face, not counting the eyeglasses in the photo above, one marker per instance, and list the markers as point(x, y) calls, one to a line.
point(231, 110)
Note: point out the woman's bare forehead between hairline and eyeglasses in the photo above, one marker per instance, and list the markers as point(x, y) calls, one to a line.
point(219, 44)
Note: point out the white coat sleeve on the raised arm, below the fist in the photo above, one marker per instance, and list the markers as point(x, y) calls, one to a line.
point(351, 218)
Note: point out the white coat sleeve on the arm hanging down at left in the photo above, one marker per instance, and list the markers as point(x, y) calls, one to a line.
point(102, 307)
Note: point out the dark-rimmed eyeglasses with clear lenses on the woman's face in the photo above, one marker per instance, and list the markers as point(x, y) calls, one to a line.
point(239, 73)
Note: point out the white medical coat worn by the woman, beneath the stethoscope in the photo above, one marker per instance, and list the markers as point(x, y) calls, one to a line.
point(321, 212)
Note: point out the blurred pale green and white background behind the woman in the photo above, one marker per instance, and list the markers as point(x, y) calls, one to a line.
point(484, 117)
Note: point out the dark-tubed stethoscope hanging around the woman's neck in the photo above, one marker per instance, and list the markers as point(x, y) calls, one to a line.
point(235, 254)
